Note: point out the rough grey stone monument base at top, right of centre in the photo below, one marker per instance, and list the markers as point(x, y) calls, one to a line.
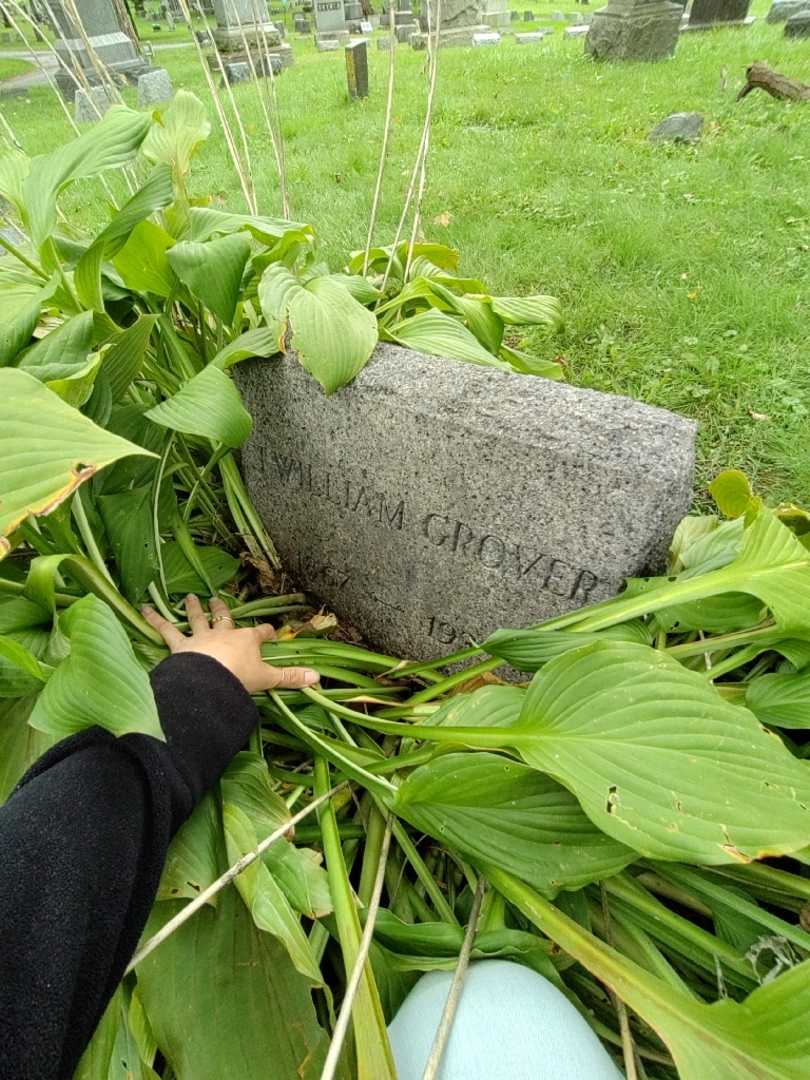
point(634, 31)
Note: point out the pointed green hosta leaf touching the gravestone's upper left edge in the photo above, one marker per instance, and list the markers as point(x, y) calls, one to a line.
point(209, 406)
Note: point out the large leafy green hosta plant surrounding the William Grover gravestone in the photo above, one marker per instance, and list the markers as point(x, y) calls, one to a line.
point(637, 807)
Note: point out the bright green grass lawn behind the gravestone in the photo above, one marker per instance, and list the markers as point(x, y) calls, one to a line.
point(684, 273)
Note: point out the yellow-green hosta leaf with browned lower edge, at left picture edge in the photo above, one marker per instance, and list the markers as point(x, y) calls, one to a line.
point(47, 450)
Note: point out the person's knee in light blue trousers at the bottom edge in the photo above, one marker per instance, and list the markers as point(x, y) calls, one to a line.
point(511, 1024)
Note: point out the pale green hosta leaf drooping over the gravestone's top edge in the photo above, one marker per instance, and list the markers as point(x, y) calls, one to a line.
point(332, 333)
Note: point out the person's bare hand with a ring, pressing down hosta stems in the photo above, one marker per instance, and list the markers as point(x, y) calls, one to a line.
point(239, 651)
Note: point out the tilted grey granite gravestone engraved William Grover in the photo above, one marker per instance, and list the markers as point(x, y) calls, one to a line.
point(433, 502)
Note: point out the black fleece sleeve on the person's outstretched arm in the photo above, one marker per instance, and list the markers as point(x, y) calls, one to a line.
point(83, 844)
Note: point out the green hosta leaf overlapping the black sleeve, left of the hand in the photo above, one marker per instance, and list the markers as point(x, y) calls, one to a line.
point(101, 682)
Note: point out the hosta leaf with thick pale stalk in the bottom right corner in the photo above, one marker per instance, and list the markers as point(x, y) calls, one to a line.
point(766, 1037)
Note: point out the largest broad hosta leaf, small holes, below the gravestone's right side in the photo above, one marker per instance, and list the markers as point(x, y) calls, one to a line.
point(660, 762)
